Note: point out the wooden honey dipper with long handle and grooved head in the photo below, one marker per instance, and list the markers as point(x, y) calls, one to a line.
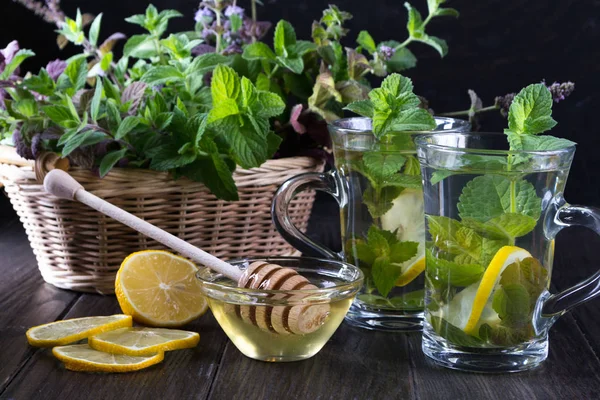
point(297, 319)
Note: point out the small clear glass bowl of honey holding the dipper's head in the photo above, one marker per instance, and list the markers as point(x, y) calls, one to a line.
point(290, 322)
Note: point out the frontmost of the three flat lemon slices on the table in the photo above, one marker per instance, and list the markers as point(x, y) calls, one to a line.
point(81, 357)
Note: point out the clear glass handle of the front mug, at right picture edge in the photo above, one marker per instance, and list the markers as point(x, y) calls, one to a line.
point(557, 304)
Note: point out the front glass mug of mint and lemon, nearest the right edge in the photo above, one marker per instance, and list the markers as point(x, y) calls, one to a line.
point(491, 219)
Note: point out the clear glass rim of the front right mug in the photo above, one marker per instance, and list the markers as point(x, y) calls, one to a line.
point(421, 142)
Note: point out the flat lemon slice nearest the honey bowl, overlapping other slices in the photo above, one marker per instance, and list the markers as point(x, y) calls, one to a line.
point(143, 341)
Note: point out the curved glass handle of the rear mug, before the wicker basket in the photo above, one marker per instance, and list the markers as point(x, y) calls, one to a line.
point(328, 182)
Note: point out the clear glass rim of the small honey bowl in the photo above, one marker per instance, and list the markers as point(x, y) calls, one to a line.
point(230, 288)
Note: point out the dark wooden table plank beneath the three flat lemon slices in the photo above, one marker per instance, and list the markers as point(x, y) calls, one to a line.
point(184, 374)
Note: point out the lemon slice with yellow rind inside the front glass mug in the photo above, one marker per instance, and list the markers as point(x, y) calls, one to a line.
point(472, 307)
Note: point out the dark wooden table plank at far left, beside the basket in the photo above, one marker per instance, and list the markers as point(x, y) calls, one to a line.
point(25, 300)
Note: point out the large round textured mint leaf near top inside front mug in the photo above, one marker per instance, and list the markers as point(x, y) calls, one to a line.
point(489, 196)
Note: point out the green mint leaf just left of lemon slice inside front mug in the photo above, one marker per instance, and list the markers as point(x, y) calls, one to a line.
point(447, 272)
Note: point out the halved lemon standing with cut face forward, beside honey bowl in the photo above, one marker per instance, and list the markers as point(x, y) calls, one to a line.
point(158, 288)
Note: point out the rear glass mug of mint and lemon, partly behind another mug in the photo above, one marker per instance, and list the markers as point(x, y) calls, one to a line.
point(378, 187)
